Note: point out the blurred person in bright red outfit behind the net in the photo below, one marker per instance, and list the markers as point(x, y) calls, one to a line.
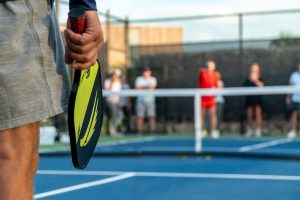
point(207, 79)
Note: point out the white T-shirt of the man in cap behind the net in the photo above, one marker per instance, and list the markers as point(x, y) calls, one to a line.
point(141, 81)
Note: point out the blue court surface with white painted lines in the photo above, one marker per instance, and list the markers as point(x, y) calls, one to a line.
point(207, 177)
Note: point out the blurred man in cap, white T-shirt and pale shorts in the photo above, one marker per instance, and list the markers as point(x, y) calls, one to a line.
point(145, 105)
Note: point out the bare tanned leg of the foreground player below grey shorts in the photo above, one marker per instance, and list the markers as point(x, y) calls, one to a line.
point(19, 161)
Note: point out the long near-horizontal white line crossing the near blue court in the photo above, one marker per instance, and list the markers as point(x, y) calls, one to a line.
point(173, 175)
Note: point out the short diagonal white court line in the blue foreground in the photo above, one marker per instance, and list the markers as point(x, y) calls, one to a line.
point(84, 185)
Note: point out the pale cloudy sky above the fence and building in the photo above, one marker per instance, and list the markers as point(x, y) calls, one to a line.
point(212, 29)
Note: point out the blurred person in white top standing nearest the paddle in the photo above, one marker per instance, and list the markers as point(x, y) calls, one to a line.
point(113, 84)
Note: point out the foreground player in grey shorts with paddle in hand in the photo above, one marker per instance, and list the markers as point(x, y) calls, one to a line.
point(34, 82)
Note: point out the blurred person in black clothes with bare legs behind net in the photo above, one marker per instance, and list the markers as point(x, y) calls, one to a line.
point(254, 103)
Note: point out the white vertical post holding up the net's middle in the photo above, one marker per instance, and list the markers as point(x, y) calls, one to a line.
point(197, 112)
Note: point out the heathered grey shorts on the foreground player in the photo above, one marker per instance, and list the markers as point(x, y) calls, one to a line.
point(34, 82)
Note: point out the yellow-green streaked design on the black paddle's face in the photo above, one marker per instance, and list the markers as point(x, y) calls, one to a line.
point(85, 129)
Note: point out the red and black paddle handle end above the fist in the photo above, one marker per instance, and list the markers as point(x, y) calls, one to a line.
point(77, 20)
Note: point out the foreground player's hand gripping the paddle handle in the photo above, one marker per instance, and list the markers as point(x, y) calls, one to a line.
point(81, 50)
